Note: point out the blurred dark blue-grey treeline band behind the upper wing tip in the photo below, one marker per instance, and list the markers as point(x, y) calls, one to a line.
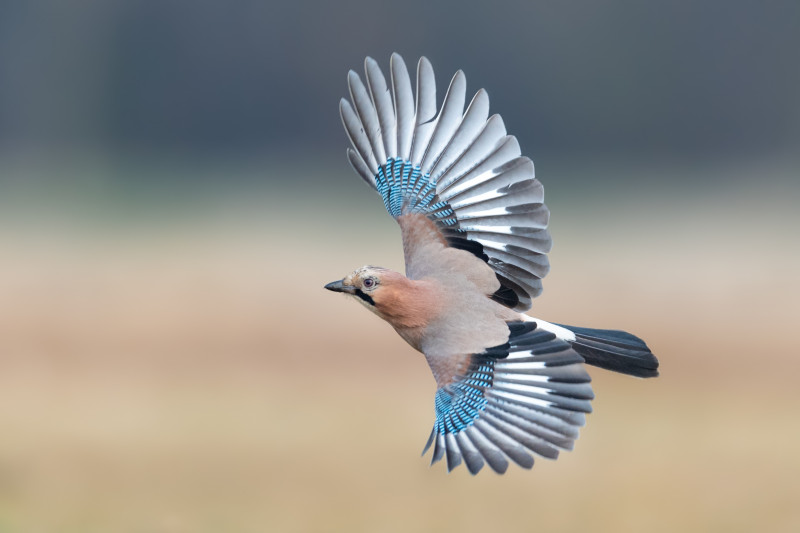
point(665, 77)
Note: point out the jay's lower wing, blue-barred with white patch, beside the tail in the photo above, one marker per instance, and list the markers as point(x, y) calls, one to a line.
point(529, 395)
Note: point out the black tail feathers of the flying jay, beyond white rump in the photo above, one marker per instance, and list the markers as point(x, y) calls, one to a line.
point(614, 350)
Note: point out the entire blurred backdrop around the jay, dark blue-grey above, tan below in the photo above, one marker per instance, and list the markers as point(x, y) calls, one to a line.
point(174, 194)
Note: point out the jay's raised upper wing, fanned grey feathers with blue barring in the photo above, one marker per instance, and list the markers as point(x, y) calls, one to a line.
point(456, 166)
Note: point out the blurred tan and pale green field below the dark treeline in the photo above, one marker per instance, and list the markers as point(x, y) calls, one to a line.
point(185, 371)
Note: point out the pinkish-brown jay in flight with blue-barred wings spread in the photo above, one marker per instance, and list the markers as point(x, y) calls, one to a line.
point(475, 241)
